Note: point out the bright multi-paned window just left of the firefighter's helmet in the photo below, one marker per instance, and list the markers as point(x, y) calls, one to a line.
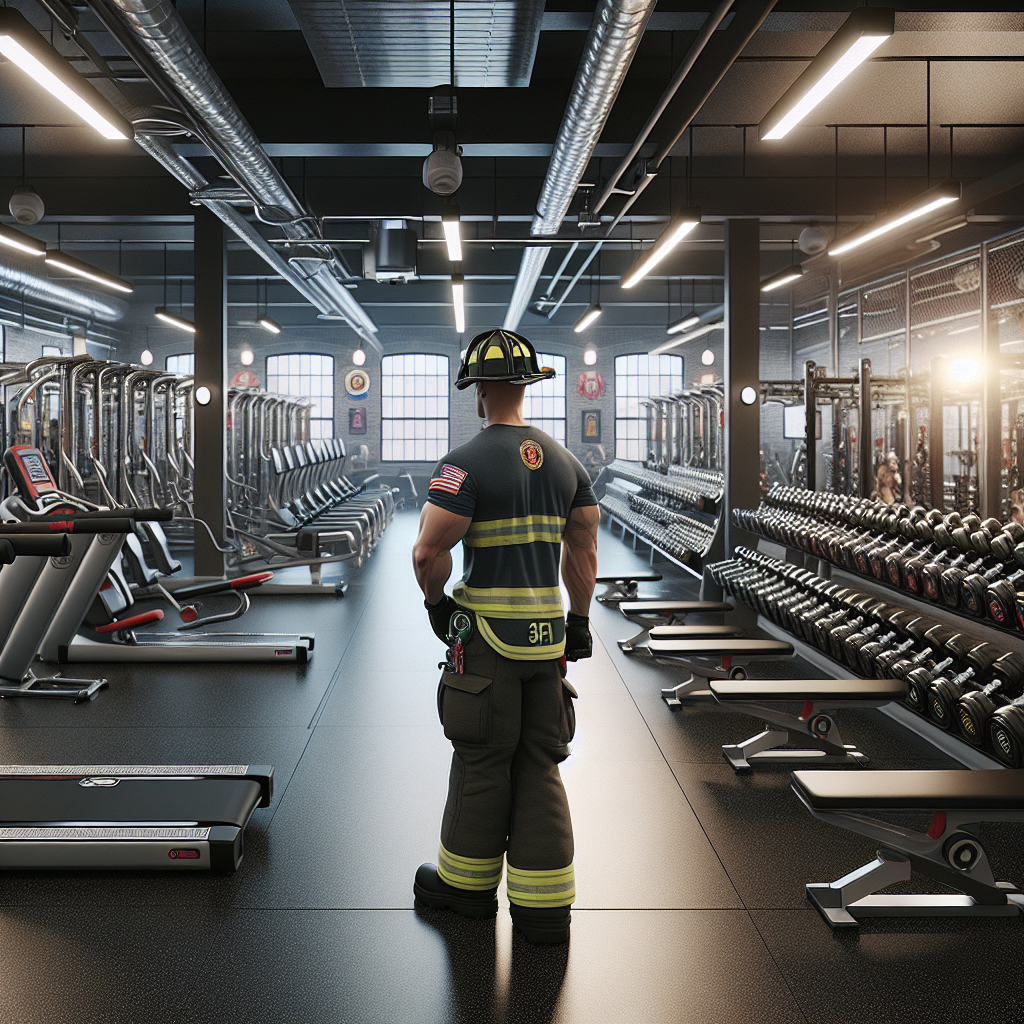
point(414, 408)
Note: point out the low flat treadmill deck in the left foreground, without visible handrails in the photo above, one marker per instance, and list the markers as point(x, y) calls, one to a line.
point(136, 818)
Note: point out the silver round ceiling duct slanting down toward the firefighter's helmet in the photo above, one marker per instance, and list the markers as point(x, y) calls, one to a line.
point(615, 34)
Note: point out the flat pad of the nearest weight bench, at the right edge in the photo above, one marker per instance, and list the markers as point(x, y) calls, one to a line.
point(913, 791)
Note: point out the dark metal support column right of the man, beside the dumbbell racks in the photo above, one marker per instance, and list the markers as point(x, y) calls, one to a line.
point(743, 340)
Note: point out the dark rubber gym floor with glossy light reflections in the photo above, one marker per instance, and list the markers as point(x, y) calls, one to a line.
point(691, 879)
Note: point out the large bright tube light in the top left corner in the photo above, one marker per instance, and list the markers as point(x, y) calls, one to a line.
point(24, 47)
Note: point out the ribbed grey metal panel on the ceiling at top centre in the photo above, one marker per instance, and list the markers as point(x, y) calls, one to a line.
point(366, 44)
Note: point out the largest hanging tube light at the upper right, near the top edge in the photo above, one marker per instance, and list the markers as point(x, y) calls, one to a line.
point(862, 34)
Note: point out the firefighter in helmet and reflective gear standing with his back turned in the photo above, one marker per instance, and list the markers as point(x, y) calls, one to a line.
point(523, 506)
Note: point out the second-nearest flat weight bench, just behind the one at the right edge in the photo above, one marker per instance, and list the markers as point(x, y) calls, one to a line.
point(813, 723)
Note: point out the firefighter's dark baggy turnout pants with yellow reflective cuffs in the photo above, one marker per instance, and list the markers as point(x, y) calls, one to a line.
point(510, 723)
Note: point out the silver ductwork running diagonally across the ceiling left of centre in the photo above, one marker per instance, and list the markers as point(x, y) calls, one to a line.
point(156, 38)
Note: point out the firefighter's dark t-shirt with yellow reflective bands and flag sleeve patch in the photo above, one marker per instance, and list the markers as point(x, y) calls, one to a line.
point(519, 486)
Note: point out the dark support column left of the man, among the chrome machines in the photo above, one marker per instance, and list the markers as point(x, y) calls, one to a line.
point(210, 263)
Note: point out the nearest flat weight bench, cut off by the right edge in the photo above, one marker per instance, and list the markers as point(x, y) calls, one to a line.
point(950, 852)
